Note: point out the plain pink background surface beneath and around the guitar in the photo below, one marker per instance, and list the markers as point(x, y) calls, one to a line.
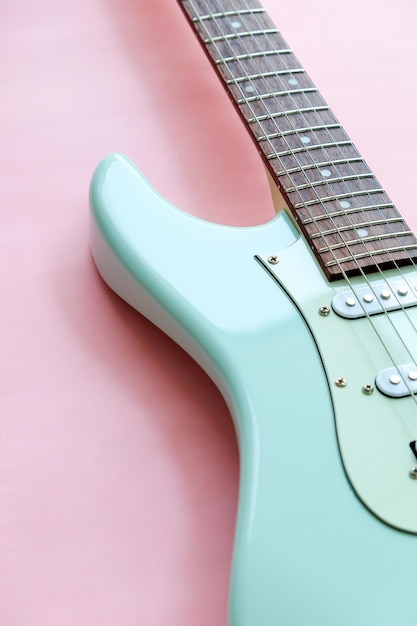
point(119, 467)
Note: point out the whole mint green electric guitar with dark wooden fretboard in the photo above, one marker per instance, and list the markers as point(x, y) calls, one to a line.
point(307, 324)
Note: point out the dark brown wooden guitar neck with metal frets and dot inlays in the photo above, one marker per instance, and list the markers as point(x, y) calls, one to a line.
point(348, 219)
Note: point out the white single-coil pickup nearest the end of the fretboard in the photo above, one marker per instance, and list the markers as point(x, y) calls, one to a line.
point(374, 298)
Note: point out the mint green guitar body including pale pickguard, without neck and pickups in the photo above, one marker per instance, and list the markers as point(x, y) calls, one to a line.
point(327, 510)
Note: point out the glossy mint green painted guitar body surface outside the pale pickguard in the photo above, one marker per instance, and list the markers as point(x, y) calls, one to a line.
point(306, 550)
